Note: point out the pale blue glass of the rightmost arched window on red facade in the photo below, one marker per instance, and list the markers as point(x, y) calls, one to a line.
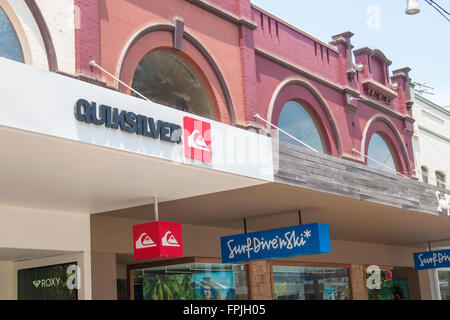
point(381, 153)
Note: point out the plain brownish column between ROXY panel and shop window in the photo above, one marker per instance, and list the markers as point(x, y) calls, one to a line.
point(103, 276)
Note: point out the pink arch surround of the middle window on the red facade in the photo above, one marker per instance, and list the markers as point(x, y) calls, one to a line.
point(303, 92)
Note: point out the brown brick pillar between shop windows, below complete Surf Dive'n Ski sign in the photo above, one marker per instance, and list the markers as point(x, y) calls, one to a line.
point(260, 280)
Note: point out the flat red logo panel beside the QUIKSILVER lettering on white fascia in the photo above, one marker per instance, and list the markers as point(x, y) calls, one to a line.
point(197, 139)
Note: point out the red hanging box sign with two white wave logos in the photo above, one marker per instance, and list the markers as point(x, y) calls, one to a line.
point(157, 240)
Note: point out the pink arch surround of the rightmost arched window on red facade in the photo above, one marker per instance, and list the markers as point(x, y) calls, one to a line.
point(383, 126)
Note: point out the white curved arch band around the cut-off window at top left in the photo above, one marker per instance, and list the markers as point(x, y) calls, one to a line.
point(32, 33)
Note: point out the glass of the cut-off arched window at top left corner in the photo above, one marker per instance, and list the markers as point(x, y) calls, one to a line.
point(9, 42)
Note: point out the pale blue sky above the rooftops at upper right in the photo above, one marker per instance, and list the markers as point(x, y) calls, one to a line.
point(421, 42)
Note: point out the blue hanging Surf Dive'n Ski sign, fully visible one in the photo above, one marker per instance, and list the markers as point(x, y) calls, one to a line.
point(279, 243)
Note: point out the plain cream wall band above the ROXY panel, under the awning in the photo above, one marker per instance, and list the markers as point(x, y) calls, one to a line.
point(27, 228)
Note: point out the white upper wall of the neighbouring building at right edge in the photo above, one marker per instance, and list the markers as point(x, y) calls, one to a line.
point(430, 150)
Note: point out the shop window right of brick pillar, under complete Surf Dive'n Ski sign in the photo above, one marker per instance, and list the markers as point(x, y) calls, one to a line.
point(310, 283)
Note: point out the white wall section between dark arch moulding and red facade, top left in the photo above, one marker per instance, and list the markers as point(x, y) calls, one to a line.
point(60, 16)
